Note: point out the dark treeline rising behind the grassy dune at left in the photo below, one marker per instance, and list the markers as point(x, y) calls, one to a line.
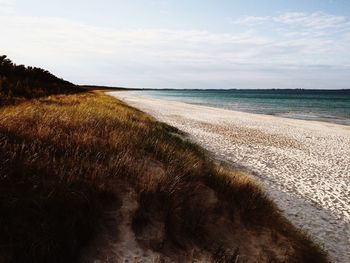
point(19, 81)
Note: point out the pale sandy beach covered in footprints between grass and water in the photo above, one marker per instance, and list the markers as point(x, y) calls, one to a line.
point(304, 166)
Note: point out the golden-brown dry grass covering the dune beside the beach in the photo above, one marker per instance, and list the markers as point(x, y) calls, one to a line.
point(66, 161)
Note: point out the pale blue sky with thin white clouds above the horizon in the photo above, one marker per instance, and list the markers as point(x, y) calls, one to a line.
point(216, 44)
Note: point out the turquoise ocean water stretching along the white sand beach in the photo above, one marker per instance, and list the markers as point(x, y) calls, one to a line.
point(322, 105)
